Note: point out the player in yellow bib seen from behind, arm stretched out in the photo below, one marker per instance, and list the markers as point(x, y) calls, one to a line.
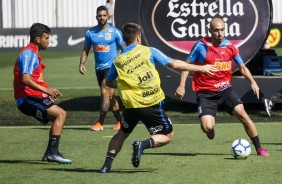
point(140, 91)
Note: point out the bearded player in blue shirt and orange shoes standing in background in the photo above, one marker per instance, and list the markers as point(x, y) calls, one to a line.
point(105, 39)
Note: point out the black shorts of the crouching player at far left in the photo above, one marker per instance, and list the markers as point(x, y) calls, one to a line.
point(36, 107)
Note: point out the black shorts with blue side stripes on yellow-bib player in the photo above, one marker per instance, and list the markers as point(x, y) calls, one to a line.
point(153, 117)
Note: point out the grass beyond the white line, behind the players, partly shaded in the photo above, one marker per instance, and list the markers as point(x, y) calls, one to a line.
point(81, 95)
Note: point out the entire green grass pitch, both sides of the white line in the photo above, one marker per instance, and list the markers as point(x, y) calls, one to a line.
point(190, 158)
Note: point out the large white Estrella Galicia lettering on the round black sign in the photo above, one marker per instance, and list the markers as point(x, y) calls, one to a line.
point(219, 7)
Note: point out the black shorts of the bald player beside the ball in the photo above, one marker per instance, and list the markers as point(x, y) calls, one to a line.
point(208, 102)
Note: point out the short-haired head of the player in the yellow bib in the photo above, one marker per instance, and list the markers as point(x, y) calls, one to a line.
point(130, 32)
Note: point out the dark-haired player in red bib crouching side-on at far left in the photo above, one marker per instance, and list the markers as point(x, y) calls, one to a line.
point(32, 94)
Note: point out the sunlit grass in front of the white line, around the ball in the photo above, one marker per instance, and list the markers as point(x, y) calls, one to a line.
point(190, 158)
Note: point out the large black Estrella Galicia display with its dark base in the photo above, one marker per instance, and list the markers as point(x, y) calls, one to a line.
point(173, 26)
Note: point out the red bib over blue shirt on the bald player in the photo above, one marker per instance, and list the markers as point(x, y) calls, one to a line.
point(222, 56)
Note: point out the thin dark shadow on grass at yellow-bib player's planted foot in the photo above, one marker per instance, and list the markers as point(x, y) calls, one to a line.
point(120, 171)
